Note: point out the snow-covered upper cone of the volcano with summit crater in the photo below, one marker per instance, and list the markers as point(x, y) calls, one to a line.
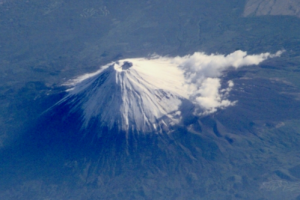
point(132, 94)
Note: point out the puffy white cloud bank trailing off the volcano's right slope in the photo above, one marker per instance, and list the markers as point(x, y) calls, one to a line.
point(202, 72)
